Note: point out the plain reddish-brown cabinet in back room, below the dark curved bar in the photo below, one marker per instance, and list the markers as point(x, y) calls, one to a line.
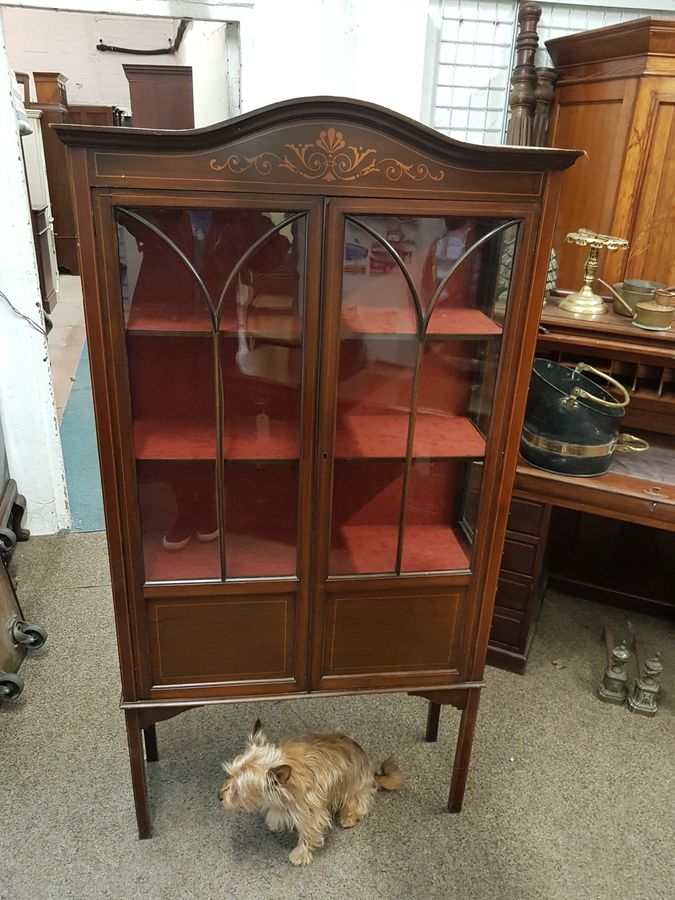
point(161, 96)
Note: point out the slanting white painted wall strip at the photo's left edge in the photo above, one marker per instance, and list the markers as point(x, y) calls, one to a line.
point(27, 406)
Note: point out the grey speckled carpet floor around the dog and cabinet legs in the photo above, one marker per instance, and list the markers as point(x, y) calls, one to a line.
point(567, 798)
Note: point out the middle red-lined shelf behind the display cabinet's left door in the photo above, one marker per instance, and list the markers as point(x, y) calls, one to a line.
point(156, 439)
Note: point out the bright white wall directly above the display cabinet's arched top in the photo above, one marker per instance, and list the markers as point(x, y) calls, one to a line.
point(368, 49)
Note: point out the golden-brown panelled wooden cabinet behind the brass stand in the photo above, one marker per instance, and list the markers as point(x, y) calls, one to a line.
point(615, 99)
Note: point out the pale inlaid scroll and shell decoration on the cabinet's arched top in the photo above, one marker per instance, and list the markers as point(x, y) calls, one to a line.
point(329, 158)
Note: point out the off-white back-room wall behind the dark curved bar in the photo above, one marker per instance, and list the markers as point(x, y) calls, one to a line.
point(41, 40)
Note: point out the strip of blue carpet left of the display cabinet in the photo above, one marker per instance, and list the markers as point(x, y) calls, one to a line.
point(80, 456)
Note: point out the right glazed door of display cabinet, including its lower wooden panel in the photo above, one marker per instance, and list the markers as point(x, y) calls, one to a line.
point(415, 305)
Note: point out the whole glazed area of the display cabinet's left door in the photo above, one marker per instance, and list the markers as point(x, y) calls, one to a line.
point(213, 310)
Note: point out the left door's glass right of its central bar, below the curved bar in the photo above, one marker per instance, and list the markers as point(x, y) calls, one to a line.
point(261, 370)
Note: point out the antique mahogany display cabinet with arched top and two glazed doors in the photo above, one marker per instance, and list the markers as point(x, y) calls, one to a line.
point(311, 330)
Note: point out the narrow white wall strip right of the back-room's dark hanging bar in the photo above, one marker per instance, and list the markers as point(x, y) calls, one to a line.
point(204, 48)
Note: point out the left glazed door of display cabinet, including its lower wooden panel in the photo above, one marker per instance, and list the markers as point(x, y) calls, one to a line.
point(216, 309)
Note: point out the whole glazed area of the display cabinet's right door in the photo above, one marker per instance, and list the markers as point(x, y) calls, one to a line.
point(423, 304)
